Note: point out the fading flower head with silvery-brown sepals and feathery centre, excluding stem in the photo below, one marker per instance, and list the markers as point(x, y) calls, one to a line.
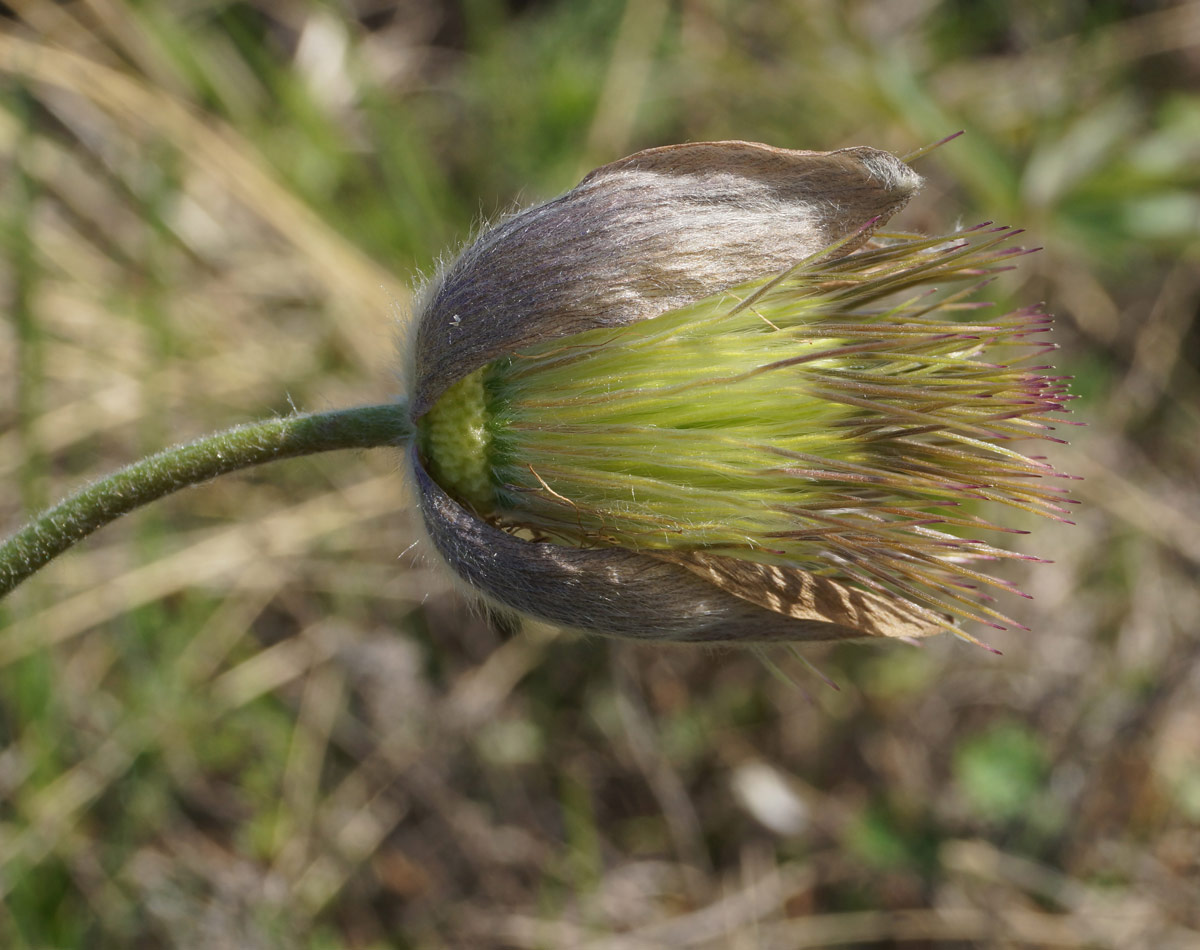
point(686, 233)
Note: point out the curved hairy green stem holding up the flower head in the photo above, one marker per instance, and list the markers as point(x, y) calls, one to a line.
point(70, 521)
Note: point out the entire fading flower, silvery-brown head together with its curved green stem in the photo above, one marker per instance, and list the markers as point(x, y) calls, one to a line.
point(703, 398)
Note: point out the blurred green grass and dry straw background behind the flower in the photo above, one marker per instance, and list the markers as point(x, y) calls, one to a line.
point(253, 718)
